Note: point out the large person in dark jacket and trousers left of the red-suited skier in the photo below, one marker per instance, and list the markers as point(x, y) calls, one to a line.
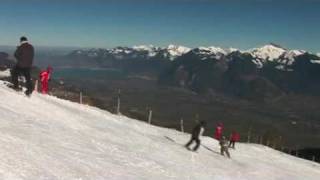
point(24, 55)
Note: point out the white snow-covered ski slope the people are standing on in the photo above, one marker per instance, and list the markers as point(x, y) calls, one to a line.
point(44, 137)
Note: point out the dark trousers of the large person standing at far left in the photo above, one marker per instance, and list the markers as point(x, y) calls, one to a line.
point(24, 72)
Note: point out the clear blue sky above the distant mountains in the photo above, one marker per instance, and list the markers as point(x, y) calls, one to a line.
point(243, 24)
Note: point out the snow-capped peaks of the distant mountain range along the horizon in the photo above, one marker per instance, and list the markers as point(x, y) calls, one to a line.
point(270, 52)
